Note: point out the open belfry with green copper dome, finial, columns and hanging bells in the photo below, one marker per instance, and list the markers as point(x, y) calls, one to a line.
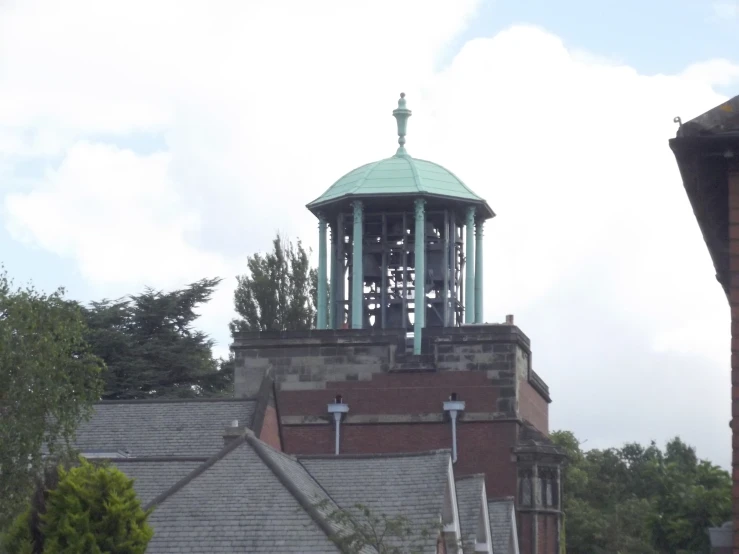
point(405, 246)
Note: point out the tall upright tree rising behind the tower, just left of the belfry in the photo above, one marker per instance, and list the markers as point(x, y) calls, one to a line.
point(279, 291)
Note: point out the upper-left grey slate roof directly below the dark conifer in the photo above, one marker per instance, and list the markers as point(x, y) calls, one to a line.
point(162, 427)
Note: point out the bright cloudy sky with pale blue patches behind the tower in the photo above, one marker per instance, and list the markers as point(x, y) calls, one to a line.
point(158, 143)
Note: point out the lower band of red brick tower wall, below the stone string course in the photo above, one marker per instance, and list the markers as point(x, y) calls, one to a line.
point(483, 447)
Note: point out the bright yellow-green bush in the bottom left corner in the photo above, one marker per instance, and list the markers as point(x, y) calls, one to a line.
point(91, 508)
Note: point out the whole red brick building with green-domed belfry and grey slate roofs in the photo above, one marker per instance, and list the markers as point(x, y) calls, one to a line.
point(414, 409)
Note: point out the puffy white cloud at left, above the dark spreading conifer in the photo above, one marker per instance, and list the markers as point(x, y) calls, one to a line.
point(118, 214)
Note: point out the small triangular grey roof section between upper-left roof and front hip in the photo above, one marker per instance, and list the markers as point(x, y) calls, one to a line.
point(154, 476)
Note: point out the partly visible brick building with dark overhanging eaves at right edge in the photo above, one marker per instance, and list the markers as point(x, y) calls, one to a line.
point(707, 153)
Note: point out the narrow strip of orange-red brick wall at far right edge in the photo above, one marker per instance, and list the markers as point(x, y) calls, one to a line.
point(734, 301)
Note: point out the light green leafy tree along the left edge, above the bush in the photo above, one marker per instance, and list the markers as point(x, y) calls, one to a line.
point(48, 382)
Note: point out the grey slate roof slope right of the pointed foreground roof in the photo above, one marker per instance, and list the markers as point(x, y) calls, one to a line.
point(408, 485)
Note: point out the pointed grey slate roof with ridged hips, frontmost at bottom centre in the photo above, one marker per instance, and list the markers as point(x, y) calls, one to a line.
point(248, 498)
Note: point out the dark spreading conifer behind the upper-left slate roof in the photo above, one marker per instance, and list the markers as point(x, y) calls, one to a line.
point(151, 348)
